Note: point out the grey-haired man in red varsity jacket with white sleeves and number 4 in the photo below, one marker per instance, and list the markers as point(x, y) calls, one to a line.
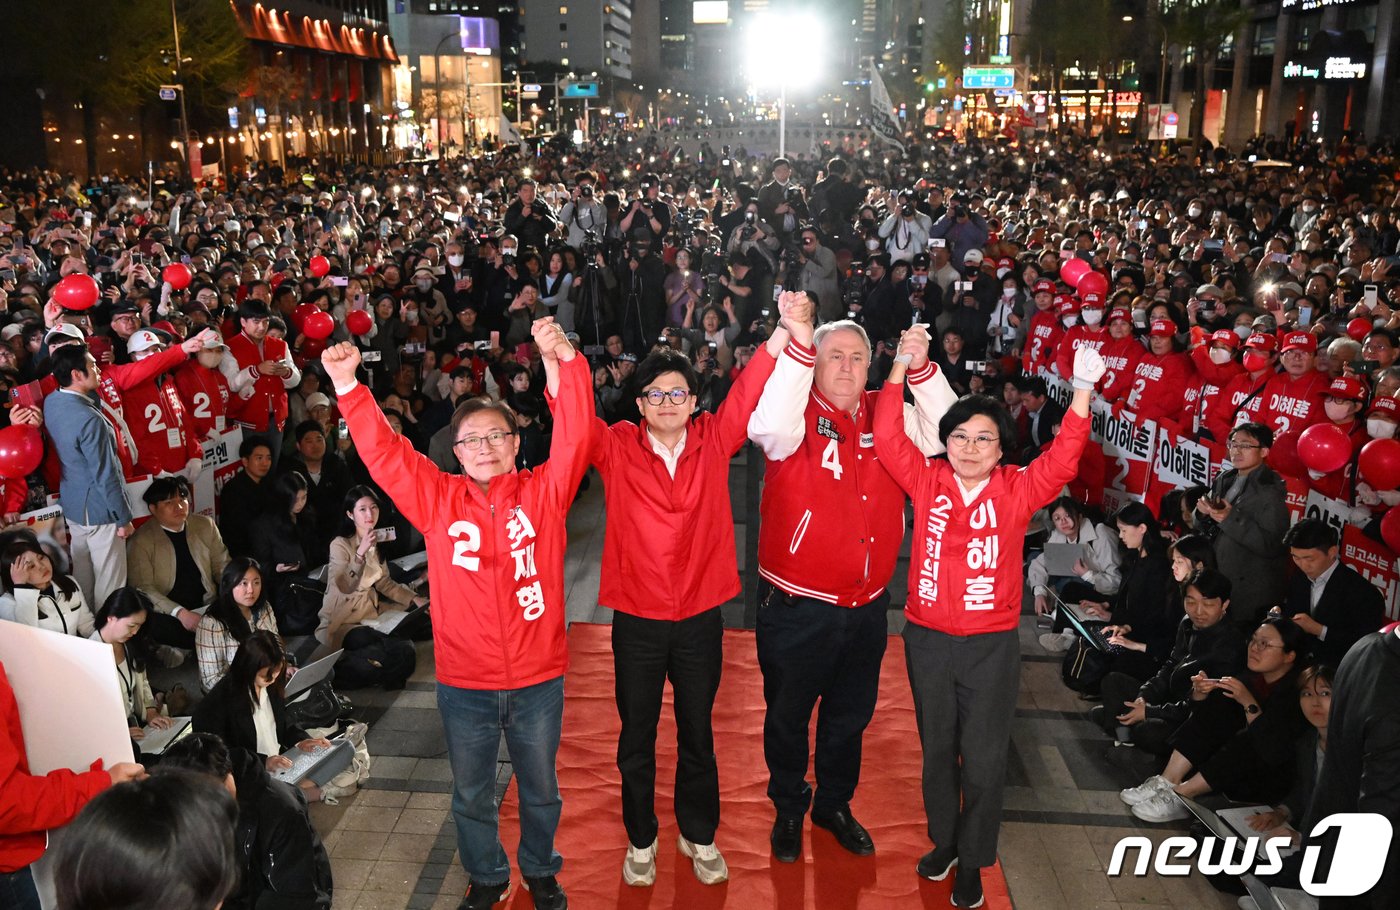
point(832, 526)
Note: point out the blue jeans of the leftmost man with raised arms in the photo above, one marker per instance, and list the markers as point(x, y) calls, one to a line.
point(474, 722)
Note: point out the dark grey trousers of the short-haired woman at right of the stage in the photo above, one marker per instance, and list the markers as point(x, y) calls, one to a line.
point(965, 698)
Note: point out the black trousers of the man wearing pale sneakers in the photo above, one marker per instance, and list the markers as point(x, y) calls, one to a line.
point(646, 654)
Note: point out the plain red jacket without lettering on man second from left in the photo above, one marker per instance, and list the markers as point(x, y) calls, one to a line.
point(670, 545)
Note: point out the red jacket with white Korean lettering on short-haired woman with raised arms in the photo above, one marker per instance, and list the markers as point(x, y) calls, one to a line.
point(965, 565)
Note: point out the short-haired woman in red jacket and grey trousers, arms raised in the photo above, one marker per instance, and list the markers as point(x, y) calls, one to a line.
point(965, 590)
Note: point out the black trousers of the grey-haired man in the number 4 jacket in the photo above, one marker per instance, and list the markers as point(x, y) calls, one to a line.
point(813, 650)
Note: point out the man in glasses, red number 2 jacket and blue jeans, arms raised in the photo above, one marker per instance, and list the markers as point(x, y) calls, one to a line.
point(496, 569)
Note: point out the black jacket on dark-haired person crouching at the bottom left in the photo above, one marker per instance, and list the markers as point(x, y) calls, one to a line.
point(285, 863)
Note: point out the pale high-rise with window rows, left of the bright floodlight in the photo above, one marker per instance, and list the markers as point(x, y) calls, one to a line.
point(582, 36)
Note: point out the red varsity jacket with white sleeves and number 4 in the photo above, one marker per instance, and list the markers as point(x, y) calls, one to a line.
point(832, 517)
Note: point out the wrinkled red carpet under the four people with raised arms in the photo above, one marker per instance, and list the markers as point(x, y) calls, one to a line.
point(593, 841)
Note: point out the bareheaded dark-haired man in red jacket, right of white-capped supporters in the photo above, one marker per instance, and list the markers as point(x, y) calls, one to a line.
point(260, 372)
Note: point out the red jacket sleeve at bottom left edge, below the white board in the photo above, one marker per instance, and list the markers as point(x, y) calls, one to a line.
point(31, 804)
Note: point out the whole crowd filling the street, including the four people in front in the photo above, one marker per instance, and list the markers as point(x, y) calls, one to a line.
point(505, 323)
